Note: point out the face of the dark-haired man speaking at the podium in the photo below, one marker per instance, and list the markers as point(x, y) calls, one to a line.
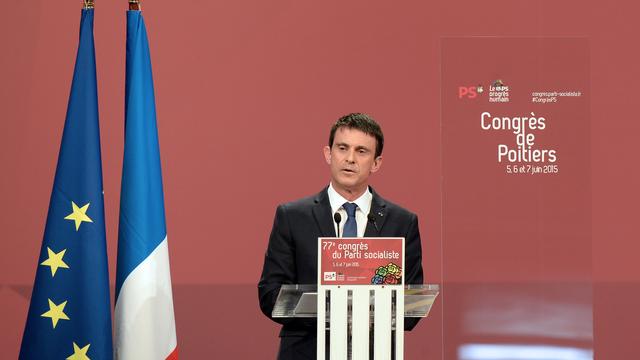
point(351, 160)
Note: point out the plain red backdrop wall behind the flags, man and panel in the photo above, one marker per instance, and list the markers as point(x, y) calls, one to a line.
point(246, 91)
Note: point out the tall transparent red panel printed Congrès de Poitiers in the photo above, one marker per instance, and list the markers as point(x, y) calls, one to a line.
point(517, 256)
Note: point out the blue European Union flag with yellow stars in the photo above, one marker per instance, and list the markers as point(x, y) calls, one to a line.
point(70, 312)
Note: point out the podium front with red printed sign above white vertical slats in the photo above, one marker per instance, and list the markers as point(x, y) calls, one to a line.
point(359, 280)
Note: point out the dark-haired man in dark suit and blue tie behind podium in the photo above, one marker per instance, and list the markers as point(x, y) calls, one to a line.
point(353, 154)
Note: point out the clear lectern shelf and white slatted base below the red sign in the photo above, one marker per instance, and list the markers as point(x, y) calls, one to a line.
point(357, 324)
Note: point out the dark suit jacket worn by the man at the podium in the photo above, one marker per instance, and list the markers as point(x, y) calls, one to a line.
point(292, 258)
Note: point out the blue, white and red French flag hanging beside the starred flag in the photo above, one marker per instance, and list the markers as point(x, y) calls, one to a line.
point(144, 318)
